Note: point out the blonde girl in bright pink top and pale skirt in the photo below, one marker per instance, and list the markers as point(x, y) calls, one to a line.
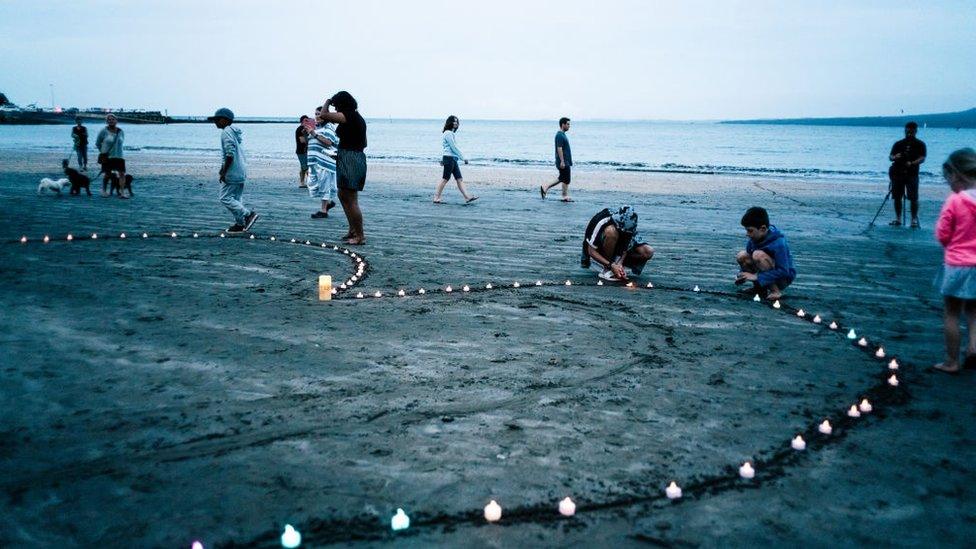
point(956, 231)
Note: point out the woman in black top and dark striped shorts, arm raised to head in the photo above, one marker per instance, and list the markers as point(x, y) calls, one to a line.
point(351, 162)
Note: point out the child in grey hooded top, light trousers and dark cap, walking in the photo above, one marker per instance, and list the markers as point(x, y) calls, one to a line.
point(233, 171)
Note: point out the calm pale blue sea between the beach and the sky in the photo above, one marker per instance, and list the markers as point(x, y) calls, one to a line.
point(820, 152)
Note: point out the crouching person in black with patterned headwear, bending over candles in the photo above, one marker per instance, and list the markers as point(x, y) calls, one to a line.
point(612, 241)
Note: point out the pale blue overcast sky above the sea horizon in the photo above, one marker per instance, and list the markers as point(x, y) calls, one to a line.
point(499, 59)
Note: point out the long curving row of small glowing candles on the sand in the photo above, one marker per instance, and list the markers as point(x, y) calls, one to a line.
point(291, 537)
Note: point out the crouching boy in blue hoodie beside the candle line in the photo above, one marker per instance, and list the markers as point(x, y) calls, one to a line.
point(766, 261)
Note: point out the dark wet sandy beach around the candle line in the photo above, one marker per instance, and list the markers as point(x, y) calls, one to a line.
point(164, 390)
